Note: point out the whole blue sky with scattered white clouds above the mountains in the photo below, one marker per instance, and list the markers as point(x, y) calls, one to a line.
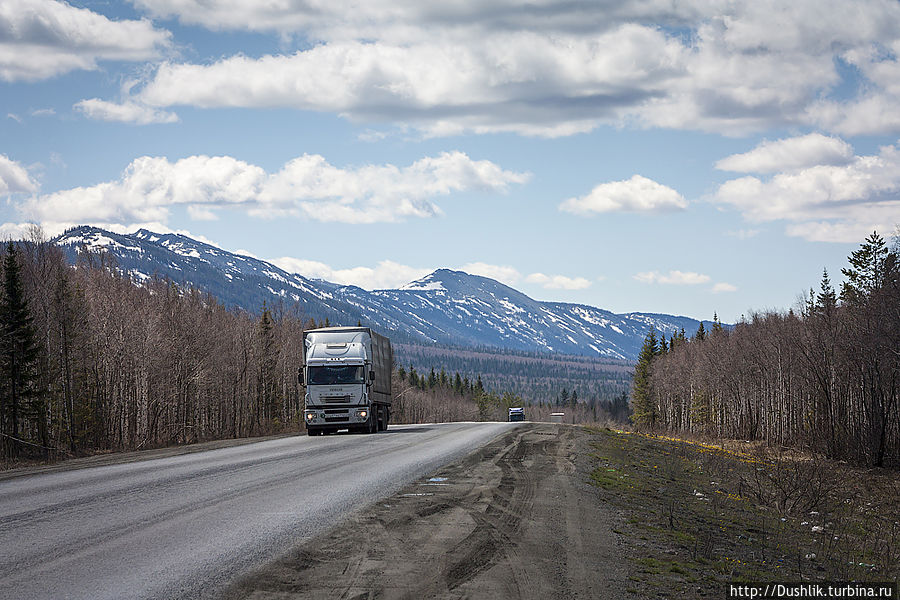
point(692, 158)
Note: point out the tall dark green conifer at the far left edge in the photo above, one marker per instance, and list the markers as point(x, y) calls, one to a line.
point(19, 352)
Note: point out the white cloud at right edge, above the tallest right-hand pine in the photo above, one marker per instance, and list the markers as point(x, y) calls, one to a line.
point(824, 202)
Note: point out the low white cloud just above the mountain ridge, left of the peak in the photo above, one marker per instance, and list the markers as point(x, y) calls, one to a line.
point(387, 274)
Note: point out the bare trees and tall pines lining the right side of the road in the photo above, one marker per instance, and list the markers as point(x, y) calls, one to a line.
point(825, 377)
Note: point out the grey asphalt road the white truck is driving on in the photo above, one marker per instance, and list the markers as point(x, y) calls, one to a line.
point(186, 526)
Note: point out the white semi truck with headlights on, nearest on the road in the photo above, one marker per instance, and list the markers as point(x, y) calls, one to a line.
point(347, 372)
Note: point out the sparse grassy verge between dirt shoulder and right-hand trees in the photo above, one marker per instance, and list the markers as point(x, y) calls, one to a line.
point(698, 515)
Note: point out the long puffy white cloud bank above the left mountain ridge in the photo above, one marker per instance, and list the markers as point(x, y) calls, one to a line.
point(307, 186)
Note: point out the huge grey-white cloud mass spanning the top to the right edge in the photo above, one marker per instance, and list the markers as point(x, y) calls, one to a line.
point(552, 67)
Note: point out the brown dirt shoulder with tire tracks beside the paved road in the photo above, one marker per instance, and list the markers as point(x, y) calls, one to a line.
point(515, 519)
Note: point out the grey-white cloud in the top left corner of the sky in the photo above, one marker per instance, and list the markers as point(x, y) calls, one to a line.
point(44, 38)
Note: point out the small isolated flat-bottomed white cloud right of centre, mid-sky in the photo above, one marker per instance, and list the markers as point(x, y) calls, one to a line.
point(637, 194)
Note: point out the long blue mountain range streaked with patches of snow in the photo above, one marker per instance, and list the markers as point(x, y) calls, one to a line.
point(447, 307)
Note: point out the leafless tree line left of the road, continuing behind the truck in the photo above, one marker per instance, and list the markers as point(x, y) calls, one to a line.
point(94, 360)
